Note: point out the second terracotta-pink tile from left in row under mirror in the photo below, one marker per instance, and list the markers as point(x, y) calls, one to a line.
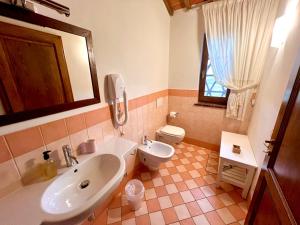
point(24, 141)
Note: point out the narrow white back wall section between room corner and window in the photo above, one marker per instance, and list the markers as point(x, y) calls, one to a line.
point(186, 40)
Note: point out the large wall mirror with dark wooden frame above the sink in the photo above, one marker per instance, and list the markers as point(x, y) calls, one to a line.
point(46, 66)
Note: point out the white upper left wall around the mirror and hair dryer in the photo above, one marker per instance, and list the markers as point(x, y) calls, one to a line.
point(129, 37)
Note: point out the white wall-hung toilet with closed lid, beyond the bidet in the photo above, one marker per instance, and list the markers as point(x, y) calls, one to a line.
point(170, 134)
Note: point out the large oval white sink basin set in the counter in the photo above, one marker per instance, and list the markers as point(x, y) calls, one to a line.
point(77, 192)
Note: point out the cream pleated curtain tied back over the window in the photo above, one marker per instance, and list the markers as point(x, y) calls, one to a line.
point(238, 37)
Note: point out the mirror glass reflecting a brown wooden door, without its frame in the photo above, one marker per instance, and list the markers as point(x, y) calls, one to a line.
point(41, 67)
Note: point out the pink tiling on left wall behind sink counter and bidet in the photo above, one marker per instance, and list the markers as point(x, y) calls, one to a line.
point(27, 145)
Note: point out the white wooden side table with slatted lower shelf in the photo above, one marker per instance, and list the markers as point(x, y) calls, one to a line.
point(236, 169)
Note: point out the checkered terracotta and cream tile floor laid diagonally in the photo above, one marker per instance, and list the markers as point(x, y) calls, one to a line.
point(182, 192)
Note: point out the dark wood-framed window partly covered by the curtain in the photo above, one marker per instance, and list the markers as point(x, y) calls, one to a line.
point(210, 92)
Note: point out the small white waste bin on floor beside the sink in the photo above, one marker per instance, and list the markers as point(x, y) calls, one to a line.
point(135, 190)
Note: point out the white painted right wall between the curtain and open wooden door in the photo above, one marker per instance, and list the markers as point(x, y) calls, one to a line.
point(280, 65)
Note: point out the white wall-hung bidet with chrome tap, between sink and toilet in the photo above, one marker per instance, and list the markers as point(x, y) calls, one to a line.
point(153, 153)
